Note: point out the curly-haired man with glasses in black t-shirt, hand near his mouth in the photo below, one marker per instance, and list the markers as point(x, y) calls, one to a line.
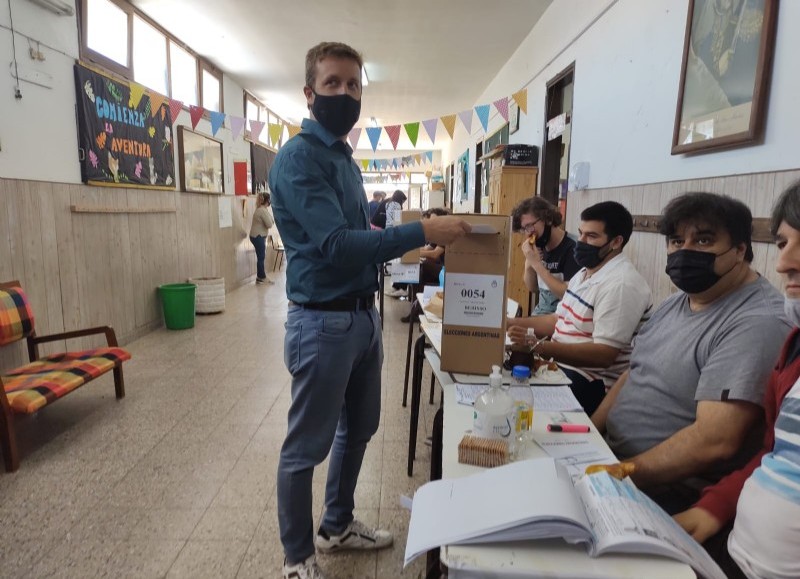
point(550, 261)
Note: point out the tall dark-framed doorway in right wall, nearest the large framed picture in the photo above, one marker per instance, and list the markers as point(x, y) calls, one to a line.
point(557, 135)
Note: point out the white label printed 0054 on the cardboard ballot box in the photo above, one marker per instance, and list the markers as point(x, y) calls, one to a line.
point(474, 300)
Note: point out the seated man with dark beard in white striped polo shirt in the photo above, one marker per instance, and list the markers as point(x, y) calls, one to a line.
point(602, 309)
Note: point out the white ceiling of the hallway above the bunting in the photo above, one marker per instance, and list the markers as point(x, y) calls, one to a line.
point(424, 58)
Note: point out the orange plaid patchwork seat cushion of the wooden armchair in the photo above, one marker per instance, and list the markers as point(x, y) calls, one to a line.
point(37, 384)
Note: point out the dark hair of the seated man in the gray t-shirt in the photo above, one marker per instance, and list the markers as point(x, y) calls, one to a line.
point(719, 212)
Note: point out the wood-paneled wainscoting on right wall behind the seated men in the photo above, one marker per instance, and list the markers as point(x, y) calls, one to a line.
point(648, 250)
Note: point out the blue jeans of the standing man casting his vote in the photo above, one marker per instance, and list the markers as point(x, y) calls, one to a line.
point(335, 359)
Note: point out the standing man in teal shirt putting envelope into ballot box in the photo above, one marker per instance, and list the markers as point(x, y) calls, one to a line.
point(333, 347)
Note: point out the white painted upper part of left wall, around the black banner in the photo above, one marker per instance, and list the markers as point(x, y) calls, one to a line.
point(38, 133)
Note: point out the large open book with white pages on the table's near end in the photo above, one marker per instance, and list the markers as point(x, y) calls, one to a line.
point(536, 499)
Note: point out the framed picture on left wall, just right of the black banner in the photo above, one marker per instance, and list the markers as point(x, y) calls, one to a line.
point(200, 162)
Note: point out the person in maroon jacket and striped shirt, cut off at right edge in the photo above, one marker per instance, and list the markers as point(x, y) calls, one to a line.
point(765, 539)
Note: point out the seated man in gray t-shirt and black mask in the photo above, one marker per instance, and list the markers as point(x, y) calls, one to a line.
point(687, 411)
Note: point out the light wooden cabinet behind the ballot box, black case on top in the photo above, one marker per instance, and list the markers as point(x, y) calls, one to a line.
point(507, 187)
